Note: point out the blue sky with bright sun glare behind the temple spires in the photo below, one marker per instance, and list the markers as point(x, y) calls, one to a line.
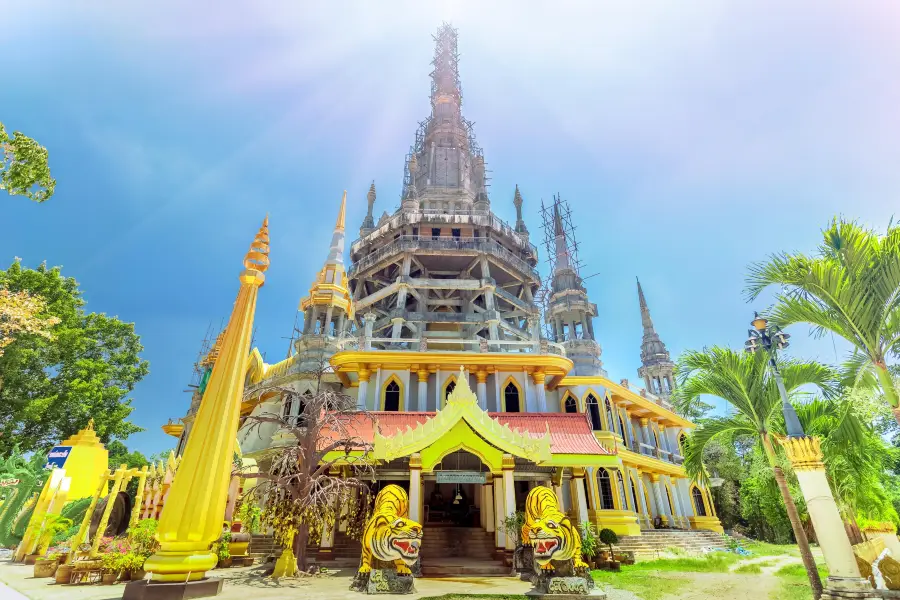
point(690, 139)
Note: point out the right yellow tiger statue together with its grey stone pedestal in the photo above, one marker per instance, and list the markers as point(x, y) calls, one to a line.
point(556, 546)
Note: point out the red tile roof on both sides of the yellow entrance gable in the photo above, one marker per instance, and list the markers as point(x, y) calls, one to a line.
point(570, 433)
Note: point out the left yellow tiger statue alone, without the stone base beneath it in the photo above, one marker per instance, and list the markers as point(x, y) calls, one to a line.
point(390, 535)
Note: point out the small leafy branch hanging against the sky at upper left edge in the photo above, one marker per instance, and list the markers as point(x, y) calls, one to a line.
point(24, 170)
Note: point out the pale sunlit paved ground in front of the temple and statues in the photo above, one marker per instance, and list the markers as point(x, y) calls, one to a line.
point(246, 582)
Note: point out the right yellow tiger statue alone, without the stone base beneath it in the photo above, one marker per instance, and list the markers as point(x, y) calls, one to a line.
point(548, 530)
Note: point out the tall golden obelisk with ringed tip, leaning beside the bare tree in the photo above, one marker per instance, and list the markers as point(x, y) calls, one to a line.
point(192, 517)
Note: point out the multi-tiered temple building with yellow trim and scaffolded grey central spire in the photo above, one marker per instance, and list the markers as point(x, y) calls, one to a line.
point(482, 382)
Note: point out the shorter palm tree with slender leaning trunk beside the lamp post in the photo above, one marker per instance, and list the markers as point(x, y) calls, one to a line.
point(748, 385)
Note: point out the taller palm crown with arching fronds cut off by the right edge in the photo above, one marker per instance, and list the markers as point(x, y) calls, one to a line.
point(850, 287)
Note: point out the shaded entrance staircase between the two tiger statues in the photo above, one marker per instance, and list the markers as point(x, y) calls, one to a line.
point(460, 551)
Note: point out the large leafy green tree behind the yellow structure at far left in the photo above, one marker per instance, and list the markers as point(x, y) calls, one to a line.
point(52, 388)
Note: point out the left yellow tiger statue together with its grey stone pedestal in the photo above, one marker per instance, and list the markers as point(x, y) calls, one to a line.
point(390, 546)
